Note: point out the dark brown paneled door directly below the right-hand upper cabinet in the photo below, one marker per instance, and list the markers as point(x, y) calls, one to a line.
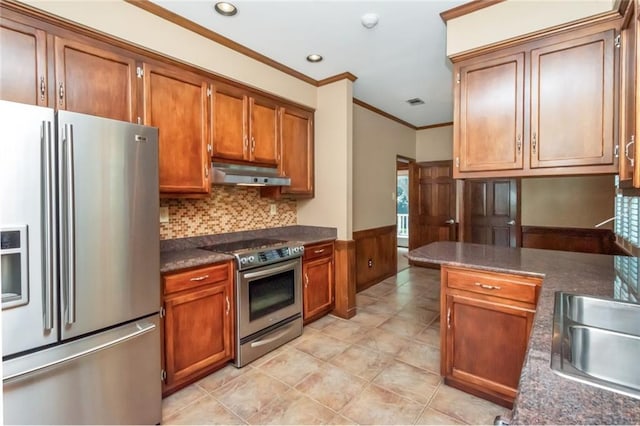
point(492, 212)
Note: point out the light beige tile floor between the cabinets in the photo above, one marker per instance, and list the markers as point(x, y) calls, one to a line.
point(380, 367)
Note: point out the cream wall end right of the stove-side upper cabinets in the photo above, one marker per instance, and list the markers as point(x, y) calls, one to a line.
point(333, 202)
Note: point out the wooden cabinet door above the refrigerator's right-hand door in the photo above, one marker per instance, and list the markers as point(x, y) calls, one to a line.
point(94, 81)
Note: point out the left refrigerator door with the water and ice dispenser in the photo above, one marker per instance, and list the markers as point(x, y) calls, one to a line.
point(27, 209)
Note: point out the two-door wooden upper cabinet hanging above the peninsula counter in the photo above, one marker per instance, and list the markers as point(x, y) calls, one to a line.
point(544, 107)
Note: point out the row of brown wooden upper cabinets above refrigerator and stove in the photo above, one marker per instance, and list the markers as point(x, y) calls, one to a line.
point(50, 62)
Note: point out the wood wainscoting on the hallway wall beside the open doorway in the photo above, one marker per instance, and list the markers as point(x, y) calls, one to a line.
point(376, 255)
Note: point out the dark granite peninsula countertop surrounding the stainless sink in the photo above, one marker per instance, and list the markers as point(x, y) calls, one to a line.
point(543, 396)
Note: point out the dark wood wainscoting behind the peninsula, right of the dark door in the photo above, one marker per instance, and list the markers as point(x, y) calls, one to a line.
point(586, 240)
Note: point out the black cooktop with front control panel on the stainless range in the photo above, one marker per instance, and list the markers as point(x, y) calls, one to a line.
point(258, 251)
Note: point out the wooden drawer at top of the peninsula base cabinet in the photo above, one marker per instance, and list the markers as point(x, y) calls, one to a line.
point(506, 286)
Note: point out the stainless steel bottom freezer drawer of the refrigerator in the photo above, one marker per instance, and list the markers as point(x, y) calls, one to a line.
point(111, 377)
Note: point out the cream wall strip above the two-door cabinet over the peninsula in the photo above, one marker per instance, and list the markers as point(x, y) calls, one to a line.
point(513, 18)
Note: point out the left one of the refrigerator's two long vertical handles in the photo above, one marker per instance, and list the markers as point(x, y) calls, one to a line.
point(49, 225)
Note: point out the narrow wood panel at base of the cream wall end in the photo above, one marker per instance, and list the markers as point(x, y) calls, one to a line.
point(345, 278)
